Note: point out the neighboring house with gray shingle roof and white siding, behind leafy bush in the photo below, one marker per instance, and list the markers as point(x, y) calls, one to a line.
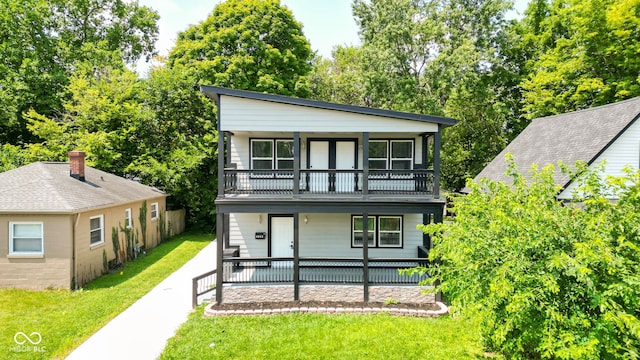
point(609, 133)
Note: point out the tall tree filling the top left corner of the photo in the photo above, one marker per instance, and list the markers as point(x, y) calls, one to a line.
point(43, 43)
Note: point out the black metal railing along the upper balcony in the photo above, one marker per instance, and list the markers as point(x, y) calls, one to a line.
point(394, 182)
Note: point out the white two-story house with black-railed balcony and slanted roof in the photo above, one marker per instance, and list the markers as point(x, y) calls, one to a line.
point(300, 178)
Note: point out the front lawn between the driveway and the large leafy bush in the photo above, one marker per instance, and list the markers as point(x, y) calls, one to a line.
point(323, 336)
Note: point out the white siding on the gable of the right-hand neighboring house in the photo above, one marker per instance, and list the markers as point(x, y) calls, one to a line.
point(625, 151)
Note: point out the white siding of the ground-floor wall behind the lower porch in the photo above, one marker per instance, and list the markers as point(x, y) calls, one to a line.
point(323, 235)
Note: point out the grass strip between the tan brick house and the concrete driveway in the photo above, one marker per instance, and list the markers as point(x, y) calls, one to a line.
point(66, 318)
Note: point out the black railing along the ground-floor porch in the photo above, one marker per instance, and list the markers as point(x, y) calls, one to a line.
point(321, 270)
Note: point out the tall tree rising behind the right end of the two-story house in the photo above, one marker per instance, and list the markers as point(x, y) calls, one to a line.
point(437, 57)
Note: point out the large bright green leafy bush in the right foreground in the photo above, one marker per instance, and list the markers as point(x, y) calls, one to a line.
point(547, 280)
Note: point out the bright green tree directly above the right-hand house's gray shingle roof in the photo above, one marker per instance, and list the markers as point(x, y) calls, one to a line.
point(588, 56)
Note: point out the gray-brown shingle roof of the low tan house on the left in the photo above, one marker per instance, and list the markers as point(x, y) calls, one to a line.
point(46, 187)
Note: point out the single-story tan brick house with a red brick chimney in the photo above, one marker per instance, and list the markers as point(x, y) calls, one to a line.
point(56, 221)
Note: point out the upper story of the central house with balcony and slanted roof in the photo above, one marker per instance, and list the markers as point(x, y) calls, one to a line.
point(278, 146)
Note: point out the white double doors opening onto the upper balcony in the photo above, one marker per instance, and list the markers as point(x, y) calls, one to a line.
point(326, 155)
